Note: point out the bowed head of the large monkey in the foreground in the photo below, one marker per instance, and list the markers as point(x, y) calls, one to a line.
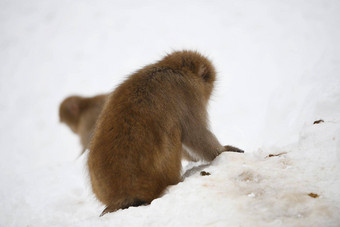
point(193, 64)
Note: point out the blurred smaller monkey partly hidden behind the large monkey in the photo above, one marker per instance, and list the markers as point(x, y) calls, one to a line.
point(81, 114)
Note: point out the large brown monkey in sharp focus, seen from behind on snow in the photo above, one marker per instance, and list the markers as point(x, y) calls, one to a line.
point(135, 152)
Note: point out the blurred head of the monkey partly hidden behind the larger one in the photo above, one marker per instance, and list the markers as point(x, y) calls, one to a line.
point(70, 111)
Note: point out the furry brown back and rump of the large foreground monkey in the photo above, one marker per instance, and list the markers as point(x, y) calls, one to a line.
point(136, 149)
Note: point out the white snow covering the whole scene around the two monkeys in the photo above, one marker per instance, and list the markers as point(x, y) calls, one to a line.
point(278, 66)
